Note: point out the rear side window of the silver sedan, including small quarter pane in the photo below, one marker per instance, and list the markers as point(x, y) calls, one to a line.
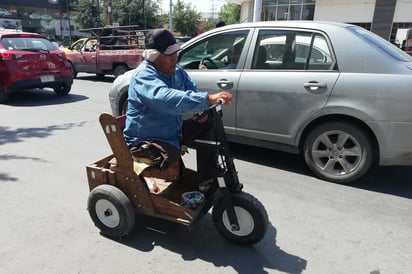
point(295, 50)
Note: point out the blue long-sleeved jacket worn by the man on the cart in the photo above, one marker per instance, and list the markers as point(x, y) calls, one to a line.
point(156, 104)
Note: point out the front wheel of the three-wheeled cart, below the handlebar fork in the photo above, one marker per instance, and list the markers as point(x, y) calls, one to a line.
point(252, 217)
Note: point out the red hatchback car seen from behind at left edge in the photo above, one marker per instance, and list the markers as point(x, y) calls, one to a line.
point(30, 60)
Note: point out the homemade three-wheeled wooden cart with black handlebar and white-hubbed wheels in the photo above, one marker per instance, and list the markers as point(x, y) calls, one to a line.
point(119, 189)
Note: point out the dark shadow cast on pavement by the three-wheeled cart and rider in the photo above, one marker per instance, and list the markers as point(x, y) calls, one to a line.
point(204, 243)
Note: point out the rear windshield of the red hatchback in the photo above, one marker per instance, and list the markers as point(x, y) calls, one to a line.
point(27, 43)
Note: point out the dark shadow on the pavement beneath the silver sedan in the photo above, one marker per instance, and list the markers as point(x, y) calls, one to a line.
point(393, 180)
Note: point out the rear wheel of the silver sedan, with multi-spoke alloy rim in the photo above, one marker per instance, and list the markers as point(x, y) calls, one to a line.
point(338, 152)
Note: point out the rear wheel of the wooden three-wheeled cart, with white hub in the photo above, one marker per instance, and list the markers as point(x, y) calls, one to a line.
point(108, 199)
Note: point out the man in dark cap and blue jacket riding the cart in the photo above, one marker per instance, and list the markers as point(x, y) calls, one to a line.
point(160, 92)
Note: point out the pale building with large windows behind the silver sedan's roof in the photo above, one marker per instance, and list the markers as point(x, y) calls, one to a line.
point(388, 18)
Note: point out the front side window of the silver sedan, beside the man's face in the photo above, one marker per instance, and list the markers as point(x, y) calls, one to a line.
point(221, 51)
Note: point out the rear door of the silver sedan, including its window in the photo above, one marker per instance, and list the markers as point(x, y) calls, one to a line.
point(286, 83)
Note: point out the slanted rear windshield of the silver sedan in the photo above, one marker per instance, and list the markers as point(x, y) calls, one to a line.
point(381, 43)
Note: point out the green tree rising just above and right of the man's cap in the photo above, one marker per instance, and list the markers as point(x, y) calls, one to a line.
point(185, 19)
